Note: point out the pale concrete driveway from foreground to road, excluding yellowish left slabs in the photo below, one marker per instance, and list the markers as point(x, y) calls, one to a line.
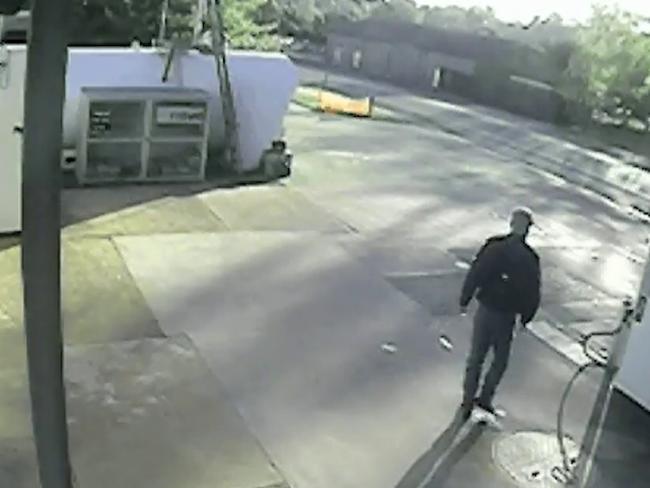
point(321, 310)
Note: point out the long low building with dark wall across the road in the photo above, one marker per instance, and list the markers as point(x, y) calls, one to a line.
point(480, 67)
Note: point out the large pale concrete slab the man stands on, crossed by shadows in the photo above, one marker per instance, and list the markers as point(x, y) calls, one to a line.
point(298, 346)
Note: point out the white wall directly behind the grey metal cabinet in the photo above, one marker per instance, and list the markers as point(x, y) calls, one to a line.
point(263, 85)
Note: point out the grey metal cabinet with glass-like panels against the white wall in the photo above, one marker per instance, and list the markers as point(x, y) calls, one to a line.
point(142, 135)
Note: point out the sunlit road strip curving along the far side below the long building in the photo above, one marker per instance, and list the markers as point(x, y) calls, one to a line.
point(540, 145)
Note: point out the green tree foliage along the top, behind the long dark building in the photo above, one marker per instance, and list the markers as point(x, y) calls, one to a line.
point(603, 65)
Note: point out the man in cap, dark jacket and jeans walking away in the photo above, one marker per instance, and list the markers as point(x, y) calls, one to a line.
point(505, 278)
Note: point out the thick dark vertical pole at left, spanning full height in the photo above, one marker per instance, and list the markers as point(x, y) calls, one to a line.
point(41, 236)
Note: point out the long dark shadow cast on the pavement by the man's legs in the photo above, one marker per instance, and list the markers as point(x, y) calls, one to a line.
point(433, 468)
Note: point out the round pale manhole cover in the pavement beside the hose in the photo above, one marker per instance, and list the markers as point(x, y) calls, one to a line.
point(529, 457)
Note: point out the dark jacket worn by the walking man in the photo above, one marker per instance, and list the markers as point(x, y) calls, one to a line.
point(505, 276)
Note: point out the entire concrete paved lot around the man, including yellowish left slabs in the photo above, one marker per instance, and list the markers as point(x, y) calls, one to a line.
point(291, 295)
